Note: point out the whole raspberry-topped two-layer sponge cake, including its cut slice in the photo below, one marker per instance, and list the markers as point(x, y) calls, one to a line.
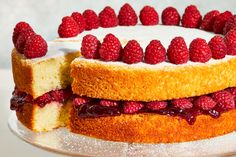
point(144, 83)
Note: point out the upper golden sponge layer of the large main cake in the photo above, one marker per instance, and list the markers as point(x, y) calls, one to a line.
point(98, 79)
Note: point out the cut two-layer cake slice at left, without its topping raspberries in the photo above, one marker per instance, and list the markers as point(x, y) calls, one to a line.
point(42, 95)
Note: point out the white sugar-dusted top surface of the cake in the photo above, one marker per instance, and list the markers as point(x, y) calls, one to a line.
point(143, 34)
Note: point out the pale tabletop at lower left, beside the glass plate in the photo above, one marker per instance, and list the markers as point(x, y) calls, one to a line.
point(11, 145)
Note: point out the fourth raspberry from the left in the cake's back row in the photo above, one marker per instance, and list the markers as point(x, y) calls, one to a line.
point(108, 17)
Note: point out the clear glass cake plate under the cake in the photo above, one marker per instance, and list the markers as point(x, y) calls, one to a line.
point(64, 142)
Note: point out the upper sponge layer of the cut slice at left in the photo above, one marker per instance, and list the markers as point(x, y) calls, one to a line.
point(37, 78)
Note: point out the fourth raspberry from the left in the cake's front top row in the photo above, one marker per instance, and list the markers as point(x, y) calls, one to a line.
point(155, 52)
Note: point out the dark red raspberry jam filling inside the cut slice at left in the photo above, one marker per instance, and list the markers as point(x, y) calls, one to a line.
point(20, 98)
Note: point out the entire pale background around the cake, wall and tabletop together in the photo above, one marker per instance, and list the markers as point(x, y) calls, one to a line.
point(44, 16)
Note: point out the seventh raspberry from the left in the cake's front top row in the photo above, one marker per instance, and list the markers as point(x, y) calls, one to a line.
point(218, 47)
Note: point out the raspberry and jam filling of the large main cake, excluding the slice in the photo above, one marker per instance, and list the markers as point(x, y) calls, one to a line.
point(187, 108)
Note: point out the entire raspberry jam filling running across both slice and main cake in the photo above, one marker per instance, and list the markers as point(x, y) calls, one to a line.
point(187, 108)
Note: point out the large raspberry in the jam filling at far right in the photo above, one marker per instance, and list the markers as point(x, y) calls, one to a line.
point(224, 99)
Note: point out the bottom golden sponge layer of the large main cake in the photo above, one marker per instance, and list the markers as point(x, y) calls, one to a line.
point(152, 128)
